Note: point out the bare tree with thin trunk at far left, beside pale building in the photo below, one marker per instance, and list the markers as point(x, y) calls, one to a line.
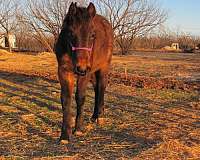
point(8, 20)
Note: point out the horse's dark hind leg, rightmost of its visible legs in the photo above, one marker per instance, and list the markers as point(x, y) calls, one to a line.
point(99, 87)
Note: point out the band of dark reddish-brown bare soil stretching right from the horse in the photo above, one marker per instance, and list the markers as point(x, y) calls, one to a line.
point(153, 83)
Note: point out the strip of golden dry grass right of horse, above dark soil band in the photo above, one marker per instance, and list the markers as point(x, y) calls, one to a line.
point(179, 65)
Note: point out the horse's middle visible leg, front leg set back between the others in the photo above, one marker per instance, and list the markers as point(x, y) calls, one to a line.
point(80, 99)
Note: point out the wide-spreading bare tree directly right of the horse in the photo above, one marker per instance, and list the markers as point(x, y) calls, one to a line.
point(131, 18)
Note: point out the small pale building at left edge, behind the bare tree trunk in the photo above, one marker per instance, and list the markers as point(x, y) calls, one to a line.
point(4, 41)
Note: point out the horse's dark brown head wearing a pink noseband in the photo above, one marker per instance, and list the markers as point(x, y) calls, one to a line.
point(80, 36)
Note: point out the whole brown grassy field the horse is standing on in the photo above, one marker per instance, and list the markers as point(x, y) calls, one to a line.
point(141, 121)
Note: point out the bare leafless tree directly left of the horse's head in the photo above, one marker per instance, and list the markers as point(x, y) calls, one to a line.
point(45, 18)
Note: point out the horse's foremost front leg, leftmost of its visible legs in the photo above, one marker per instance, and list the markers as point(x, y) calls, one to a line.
point(67, 85)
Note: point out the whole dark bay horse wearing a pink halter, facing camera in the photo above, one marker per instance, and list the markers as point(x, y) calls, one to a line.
point(84, 51)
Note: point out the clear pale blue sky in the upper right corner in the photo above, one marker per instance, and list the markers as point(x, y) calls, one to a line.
point(183, 15)
